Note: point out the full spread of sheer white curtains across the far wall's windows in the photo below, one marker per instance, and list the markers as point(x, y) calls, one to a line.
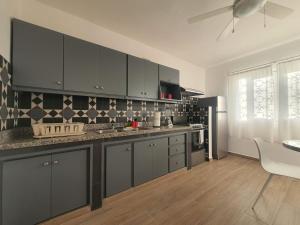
point(265, 102)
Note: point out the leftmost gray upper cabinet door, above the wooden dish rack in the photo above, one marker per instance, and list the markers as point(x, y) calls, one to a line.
point(37, 57)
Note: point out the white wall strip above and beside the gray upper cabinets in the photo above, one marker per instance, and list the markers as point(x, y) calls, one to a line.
point(37, 13)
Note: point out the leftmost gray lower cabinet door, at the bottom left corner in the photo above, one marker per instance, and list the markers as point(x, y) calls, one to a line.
point(26, 191)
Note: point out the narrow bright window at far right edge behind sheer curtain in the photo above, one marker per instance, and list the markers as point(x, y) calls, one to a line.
point(293, 80)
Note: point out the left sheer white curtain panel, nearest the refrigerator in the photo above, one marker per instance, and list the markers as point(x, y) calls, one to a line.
point(252, 105)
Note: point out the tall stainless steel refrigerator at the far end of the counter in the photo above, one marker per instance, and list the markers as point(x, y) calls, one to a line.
point(217, 122)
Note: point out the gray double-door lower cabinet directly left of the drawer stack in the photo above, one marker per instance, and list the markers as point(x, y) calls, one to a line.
point(150, 160)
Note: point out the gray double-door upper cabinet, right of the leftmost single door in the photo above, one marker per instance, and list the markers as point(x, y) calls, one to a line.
point(90, 68)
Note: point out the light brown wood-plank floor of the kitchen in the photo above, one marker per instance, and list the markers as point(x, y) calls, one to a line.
point(214, 193)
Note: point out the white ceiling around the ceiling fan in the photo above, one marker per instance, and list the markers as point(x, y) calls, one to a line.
point(162, 24)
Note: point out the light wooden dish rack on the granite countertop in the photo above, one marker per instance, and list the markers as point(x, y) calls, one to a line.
point(46, 130)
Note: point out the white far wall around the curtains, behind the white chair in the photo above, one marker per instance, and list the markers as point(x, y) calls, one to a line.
point(216, 84)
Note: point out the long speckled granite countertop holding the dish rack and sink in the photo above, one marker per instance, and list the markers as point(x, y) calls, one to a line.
point(27, 141)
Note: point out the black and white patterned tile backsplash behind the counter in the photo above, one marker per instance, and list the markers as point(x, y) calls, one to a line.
point(24, 108)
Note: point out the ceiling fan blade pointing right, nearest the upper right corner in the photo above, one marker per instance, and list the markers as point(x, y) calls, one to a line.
point(276, 11)
